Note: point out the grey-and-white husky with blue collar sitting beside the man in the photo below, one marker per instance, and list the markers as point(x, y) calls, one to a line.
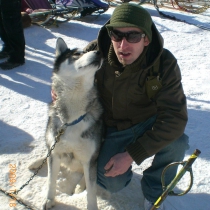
point(78, 112)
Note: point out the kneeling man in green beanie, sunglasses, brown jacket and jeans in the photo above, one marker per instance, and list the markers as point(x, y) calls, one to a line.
point(139, 124)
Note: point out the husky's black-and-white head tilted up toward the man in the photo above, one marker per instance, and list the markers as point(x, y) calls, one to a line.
point(75, 62)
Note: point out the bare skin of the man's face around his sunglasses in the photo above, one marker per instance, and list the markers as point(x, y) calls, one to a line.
point(127, 52)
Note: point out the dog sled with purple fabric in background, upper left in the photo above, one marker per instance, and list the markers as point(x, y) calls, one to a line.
point(48, 12)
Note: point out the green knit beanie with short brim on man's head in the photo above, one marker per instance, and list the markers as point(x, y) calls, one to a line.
point(131, 15)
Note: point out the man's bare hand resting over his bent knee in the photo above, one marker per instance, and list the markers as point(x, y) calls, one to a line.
point(118, 164)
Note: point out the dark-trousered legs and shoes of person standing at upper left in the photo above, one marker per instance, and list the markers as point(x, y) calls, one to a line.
point(11, 33)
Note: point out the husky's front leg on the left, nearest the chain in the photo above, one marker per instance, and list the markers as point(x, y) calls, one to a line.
point(53, 170)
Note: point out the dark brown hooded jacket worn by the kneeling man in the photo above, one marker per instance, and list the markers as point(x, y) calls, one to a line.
point(125, 99)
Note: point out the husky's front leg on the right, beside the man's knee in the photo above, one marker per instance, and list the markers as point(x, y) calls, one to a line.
point(90, 179)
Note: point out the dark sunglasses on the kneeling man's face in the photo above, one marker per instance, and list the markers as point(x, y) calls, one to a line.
point(132, 36)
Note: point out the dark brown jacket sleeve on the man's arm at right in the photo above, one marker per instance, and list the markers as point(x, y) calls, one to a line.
point(171, 114)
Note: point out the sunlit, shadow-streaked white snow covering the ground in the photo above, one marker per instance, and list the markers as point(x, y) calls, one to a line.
point(25, 94)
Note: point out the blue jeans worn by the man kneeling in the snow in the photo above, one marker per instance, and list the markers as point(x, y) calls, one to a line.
point(116, 141)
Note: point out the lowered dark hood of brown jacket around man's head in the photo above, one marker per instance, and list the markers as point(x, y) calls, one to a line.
point(154, 51)
